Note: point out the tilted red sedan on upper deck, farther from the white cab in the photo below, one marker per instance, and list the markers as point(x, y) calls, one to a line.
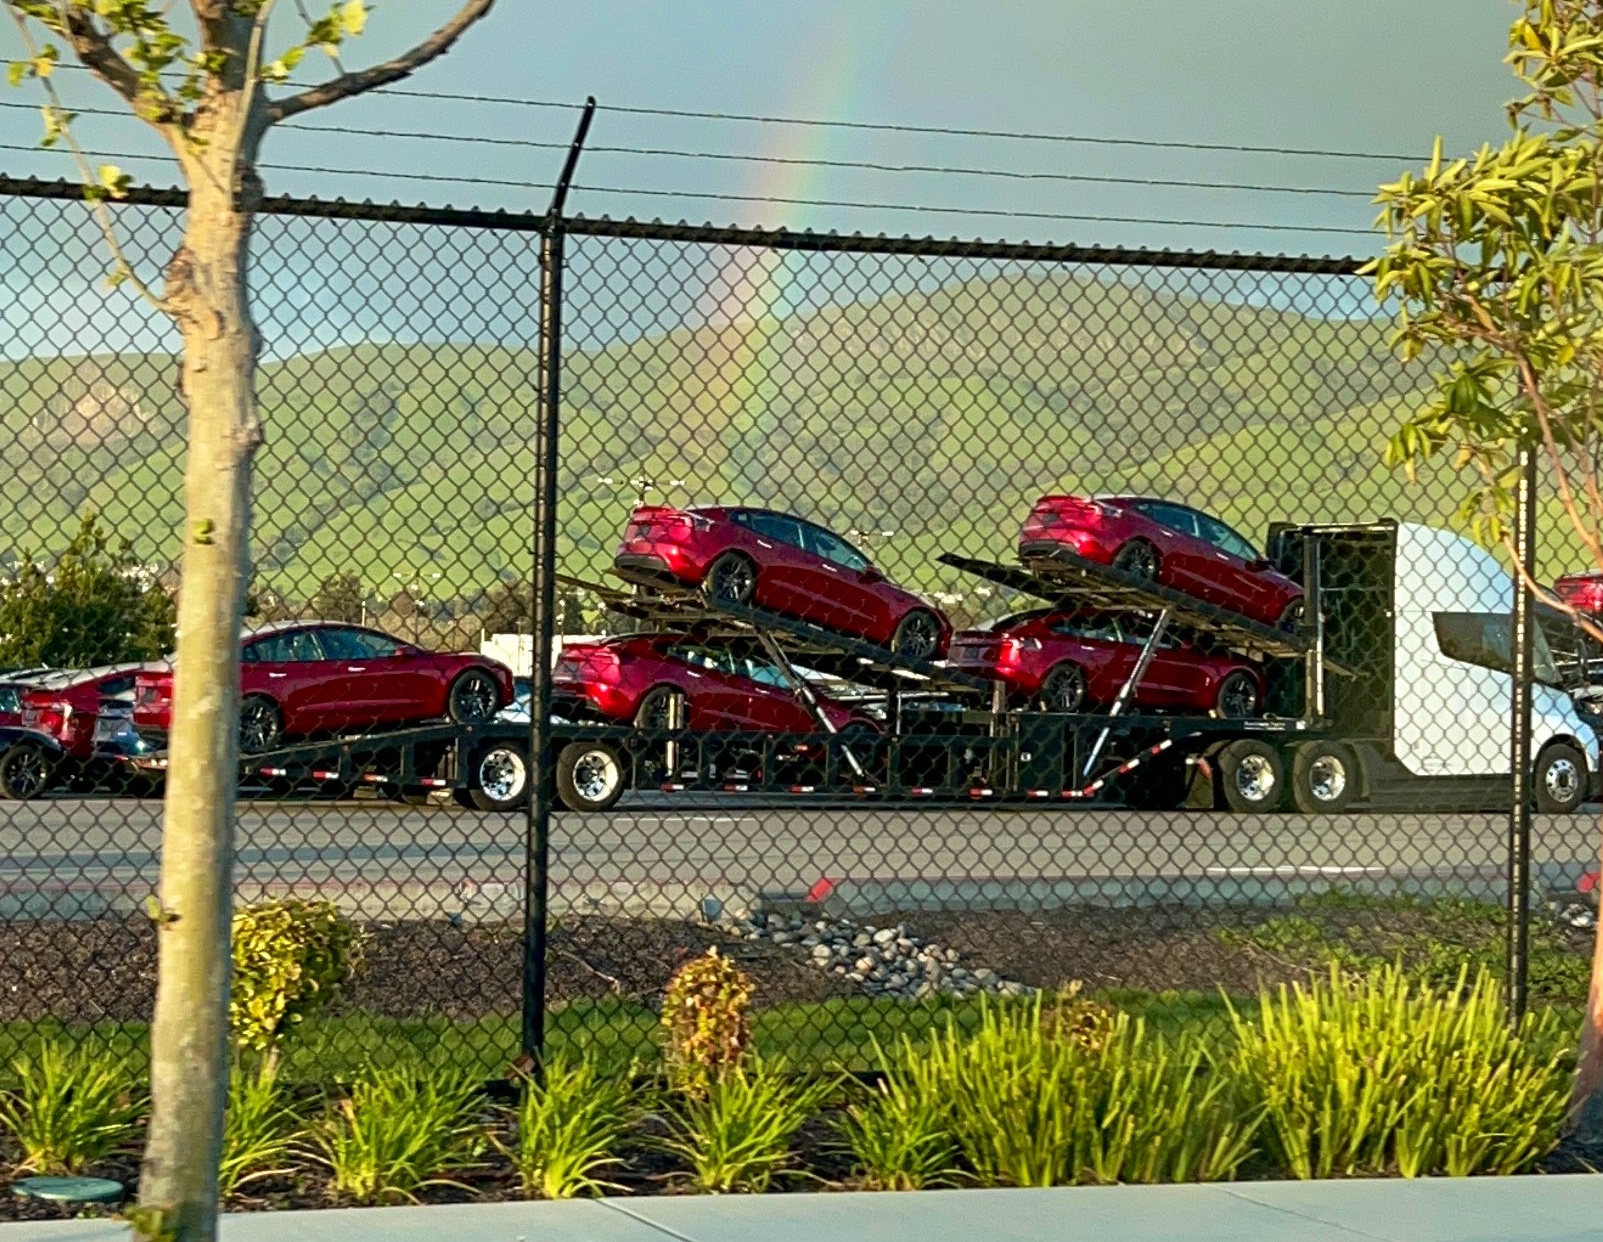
point(777, 562)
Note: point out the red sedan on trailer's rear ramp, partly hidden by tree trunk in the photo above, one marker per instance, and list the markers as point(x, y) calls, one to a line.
point(305, 679)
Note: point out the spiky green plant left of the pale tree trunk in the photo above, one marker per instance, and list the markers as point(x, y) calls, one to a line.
point(71, 1108)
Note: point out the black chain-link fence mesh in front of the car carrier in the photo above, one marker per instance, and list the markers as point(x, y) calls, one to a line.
point(934, 621)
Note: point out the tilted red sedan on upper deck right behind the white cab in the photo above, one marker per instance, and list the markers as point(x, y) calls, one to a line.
point(1169, 544)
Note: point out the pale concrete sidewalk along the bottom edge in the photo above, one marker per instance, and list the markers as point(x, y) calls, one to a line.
point(1532, 1209)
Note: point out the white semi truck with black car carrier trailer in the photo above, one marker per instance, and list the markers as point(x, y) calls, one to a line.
point(1391, 692)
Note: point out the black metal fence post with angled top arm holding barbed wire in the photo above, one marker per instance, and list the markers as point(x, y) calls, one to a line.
point(538, 837)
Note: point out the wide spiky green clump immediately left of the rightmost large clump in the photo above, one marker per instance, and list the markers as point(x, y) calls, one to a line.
point(1030, 1108)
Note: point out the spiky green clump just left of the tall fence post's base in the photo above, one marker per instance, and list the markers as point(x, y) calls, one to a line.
point(402, 1129)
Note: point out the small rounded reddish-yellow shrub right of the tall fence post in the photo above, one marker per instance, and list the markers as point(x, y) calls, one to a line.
point(706, 1022)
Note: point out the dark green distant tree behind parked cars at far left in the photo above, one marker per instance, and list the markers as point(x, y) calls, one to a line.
point(94, 605)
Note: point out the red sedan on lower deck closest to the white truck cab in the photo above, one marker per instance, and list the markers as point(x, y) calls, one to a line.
point(1075, 661)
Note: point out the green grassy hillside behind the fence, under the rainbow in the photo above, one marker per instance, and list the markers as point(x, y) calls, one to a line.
point(939, 416)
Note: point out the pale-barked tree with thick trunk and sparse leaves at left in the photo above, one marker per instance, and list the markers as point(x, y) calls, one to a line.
point(208, 79)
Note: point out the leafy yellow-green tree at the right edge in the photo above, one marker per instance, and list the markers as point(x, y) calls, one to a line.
point(1496, 268)
